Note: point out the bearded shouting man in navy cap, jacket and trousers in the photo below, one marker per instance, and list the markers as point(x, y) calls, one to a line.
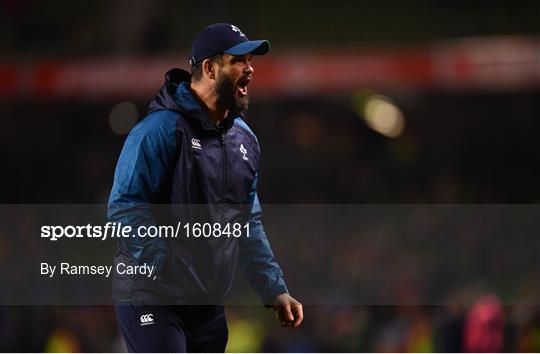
point(194, 153)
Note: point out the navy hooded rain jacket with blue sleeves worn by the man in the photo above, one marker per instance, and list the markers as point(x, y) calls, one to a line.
point(176, 157)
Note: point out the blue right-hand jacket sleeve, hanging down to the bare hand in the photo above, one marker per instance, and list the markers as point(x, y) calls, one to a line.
point(257, 261)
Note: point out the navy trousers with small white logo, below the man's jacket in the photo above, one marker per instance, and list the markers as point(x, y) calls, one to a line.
point(173, 329)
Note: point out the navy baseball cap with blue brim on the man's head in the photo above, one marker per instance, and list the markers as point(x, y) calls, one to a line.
point(224, 38)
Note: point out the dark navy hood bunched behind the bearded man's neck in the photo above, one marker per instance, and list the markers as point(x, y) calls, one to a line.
point(176, 95)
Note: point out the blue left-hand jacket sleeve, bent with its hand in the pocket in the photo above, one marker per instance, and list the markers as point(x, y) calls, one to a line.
point(143, 166)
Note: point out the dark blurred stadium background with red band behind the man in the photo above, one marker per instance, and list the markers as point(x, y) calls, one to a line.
point(358, 102)
